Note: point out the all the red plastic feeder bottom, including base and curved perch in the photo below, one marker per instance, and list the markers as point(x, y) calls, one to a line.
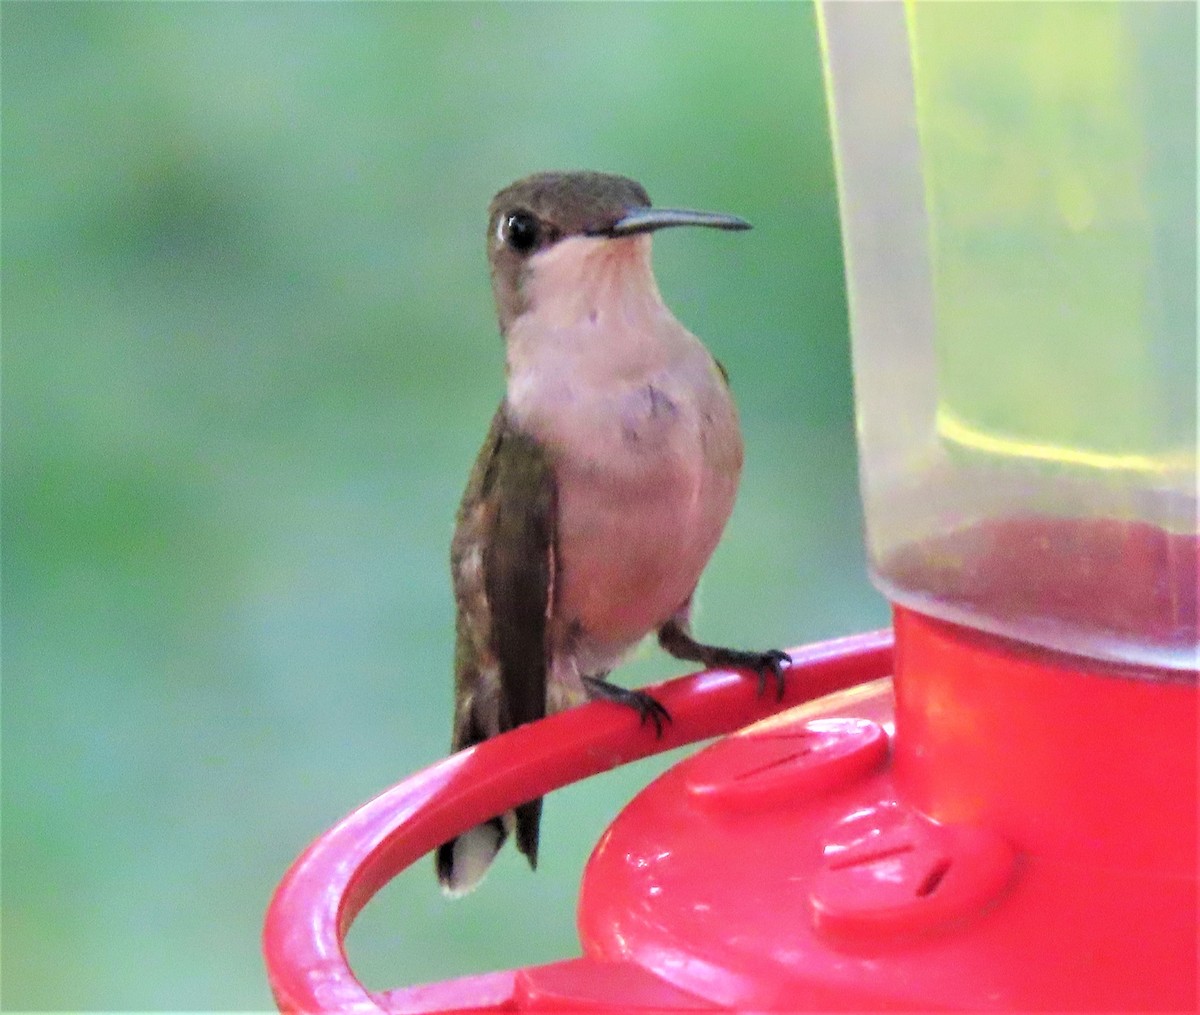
point(1009, 831)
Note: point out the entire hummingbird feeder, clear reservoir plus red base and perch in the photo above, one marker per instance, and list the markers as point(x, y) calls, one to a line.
point(1011, 822)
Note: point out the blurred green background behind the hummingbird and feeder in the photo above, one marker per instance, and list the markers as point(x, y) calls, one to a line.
point(249, 356)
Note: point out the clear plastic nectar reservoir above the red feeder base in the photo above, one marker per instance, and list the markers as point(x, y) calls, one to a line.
point(1019, 209)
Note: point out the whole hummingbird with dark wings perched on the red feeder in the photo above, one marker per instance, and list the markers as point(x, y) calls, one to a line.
point(602, 489)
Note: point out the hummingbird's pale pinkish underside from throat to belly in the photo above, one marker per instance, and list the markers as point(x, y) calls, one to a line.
point(643, 435)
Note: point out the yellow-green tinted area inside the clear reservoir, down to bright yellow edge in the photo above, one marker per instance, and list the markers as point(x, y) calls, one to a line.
point(1060, 185)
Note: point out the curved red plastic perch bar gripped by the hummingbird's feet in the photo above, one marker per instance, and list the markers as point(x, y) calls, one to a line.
point(339, 874)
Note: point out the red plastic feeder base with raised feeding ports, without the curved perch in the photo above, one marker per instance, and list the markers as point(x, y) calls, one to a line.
point(1028, 843)
